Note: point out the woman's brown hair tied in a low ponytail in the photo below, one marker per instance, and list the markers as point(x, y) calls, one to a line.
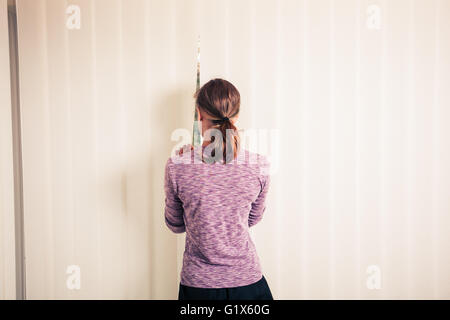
point(221, 100)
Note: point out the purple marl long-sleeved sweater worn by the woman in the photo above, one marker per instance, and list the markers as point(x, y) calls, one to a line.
point(216, 204)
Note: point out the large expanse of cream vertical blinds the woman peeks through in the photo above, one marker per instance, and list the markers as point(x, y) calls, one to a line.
point(363, 157)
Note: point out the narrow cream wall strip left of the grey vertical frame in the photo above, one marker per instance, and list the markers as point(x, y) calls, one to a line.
point(7, 253)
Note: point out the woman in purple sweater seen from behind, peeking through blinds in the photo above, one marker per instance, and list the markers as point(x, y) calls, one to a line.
point(216, 202)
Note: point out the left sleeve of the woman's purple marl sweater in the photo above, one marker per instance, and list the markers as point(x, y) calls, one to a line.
point(173, 211)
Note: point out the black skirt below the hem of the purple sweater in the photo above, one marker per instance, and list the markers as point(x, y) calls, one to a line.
point(256, 291)
